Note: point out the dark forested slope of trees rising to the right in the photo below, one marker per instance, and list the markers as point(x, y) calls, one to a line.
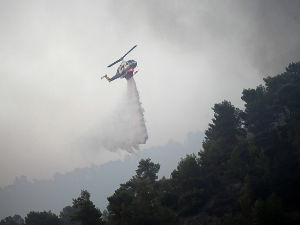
point(246, 172)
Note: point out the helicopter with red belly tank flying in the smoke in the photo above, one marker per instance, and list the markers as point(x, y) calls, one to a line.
point(125, 70)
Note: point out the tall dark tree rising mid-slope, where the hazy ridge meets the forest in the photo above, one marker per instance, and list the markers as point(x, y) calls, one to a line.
point(221, 137)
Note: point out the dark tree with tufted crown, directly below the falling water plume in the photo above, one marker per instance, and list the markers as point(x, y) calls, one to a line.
point(137, 201)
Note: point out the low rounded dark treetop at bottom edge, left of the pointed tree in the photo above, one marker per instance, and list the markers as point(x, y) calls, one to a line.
point(41, 218)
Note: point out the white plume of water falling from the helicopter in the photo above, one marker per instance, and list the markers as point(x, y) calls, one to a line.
point(124, 129)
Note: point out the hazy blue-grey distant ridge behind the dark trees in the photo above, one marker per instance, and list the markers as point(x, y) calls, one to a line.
point(101, 180)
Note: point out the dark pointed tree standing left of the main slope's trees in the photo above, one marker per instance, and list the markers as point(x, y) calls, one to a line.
point(87, 212)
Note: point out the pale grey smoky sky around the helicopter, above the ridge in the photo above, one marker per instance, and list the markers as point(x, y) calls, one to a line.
point(191, 55)
